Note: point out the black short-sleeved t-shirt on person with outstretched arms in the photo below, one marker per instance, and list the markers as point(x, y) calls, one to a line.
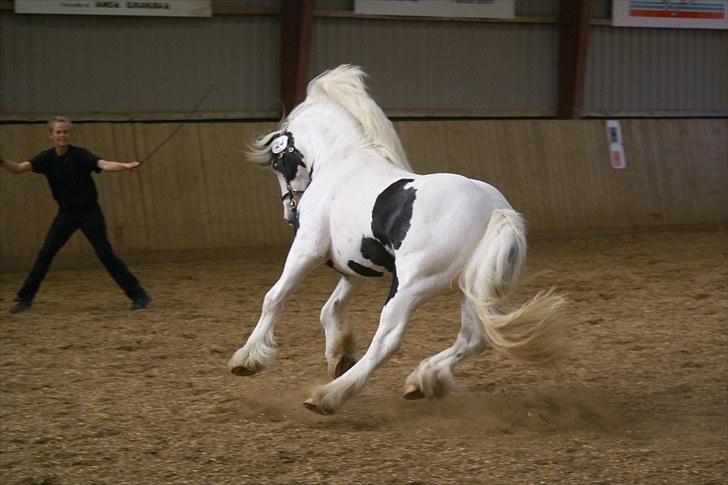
point(69, 175)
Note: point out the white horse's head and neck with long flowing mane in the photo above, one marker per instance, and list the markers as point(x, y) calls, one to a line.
point(337, 121)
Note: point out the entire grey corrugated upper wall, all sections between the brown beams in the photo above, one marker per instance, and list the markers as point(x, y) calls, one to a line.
point(158, 68)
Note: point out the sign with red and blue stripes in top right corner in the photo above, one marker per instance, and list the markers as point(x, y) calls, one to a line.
point(687, 14)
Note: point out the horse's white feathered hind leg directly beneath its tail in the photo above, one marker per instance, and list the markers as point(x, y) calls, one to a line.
point(433, 377)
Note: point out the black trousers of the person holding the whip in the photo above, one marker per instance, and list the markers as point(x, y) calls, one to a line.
point(91, 221)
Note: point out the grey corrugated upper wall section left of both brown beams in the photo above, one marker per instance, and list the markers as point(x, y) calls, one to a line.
point(132, 66)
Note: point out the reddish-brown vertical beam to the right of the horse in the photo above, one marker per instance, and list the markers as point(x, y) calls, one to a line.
point(574, 16)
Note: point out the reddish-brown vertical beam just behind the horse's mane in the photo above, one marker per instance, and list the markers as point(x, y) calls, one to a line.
point(296, 25)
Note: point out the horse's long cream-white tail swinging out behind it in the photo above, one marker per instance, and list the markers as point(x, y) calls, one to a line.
point(532, 333)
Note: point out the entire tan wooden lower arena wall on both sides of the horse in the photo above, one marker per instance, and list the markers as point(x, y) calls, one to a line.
point(198, 193)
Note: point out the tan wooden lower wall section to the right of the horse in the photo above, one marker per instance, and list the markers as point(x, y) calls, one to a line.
point(558, 172)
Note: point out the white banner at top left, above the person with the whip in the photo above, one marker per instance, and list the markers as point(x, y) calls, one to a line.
point(156, 8)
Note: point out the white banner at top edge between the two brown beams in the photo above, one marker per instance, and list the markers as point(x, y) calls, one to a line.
point(438, 8)
